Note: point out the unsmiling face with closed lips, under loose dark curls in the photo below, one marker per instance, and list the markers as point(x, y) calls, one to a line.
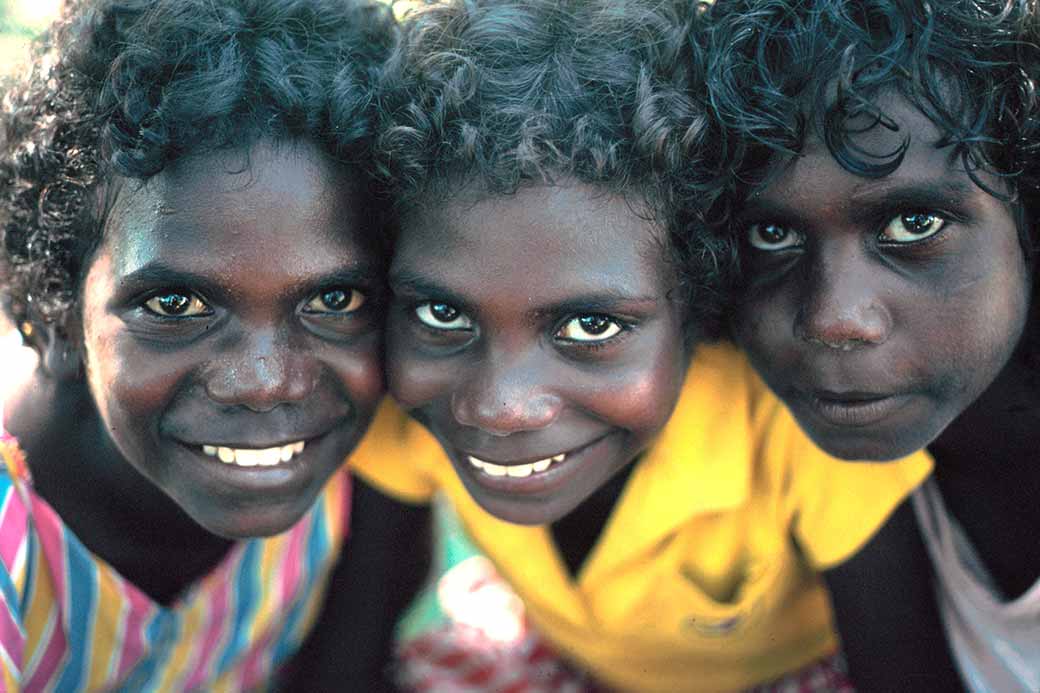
point(879, 310)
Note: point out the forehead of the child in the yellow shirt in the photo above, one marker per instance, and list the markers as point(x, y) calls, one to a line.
point(544, 240)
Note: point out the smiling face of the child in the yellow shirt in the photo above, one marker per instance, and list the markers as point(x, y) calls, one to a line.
point(536, 338)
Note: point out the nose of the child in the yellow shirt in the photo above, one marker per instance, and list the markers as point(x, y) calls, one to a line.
point(504, 395)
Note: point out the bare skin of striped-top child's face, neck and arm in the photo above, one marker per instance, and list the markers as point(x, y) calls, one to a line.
point(205, 394)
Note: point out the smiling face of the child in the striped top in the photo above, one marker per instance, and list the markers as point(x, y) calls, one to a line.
point(230, 335)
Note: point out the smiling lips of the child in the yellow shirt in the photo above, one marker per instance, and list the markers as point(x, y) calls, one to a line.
point(539, 483)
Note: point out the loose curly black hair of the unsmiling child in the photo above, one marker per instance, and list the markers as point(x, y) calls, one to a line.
point(782, 70)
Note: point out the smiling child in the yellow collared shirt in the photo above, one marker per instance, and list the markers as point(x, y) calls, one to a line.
point(550, 295)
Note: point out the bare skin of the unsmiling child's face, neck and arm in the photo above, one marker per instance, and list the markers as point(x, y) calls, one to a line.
point(886, 313)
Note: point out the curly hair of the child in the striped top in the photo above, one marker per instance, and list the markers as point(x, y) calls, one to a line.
point(124, 88)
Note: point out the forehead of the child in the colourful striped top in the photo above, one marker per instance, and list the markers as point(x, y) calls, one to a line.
point(273, 207)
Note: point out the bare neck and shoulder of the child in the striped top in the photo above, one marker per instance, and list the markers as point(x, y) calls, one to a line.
point(114, 510)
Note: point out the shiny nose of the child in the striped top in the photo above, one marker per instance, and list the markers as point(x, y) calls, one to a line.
point(261, 371)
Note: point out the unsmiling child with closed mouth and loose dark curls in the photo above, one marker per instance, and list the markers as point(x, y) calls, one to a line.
point(889, 229)
